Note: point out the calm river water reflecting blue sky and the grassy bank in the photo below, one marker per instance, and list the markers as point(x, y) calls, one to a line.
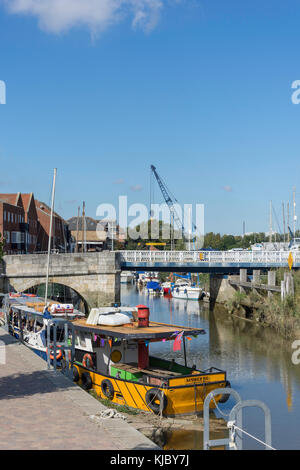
point(257, 361)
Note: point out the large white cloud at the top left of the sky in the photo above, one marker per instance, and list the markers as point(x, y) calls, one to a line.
point(56, 16)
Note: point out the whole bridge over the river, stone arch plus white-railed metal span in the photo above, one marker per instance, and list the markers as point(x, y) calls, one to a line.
point(96, 276)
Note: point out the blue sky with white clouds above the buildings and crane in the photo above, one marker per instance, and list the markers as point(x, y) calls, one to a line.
point(202, 89)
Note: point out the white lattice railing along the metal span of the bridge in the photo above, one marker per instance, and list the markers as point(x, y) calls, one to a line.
point(211, 257)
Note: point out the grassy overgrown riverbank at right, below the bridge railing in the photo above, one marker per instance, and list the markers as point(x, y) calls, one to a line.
point(270, 311)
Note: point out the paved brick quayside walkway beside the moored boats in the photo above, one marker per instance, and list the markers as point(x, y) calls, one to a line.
point(41, 409)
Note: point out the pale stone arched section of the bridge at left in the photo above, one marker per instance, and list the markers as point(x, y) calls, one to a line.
point(94, 276)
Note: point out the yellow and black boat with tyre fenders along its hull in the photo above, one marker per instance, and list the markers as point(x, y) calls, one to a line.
point(113, 359)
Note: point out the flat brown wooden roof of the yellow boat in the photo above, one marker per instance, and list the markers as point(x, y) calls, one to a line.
point(155, 330)
